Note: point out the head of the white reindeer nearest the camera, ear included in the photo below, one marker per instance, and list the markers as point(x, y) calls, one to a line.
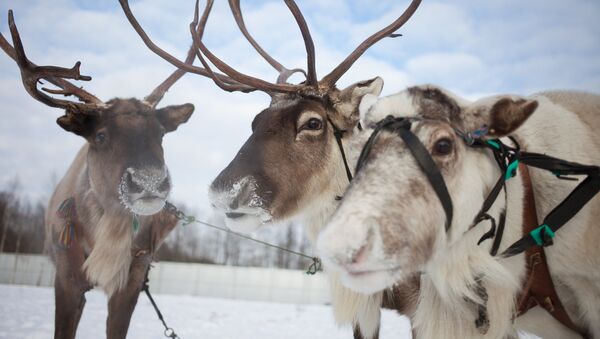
point(392, 221)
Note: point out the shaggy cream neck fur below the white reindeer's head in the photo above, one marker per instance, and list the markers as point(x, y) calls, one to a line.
point(451, 280)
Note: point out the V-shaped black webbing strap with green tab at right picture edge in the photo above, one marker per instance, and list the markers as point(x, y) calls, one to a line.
point(567, 209)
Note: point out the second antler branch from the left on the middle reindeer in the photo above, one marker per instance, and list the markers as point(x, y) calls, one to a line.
point(247, 80)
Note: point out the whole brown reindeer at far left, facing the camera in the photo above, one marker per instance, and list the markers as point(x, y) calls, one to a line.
point(105, 220)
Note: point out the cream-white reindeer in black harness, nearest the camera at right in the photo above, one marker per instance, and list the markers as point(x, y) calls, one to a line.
point(394, 222)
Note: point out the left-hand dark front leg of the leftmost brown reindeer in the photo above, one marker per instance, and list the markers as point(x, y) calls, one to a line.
point(70, 286)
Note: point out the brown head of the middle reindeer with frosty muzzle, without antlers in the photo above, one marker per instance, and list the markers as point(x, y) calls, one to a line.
point(291, 162)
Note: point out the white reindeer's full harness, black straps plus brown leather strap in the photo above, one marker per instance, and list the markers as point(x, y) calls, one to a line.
point(508, 159)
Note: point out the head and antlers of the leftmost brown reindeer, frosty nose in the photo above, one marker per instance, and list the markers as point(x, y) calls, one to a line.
point(125, 162)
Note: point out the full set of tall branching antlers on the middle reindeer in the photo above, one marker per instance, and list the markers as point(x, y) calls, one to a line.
point(233, 80)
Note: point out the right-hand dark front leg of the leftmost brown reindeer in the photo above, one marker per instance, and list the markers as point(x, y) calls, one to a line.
point(122, 303)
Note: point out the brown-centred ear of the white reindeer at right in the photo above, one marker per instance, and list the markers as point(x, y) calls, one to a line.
point(505, 114)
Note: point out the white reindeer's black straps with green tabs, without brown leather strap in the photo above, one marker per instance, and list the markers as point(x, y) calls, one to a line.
point(508, 159)
